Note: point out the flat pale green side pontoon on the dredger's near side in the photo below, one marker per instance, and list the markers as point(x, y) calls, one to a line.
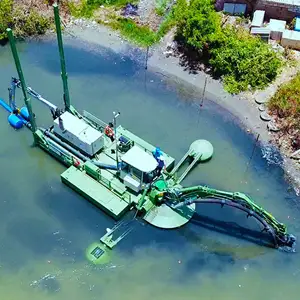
point(95, 192)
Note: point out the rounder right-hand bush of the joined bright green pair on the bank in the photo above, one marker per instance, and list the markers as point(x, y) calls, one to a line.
point(244, 61)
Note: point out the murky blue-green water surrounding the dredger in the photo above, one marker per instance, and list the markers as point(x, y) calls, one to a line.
point(45, 227)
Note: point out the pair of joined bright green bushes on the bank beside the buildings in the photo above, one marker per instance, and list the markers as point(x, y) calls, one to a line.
point(242, 60)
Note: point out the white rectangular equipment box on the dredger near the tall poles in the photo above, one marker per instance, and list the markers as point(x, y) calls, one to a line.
point(79, 134)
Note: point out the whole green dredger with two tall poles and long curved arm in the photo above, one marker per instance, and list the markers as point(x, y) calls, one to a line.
point(121, 174)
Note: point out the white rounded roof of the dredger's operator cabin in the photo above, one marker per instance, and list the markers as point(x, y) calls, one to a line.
point(140, 159)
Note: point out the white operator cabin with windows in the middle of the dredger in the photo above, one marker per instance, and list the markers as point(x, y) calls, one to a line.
point(139, 168)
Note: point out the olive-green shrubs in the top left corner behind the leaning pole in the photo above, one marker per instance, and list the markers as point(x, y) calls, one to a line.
point(23, 23)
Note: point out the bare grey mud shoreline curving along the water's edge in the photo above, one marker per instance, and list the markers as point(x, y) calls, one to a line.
point(240, 106)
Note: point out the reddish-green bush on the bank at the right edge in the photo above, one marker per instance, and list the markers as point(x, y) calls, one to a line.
point(286, 103)
